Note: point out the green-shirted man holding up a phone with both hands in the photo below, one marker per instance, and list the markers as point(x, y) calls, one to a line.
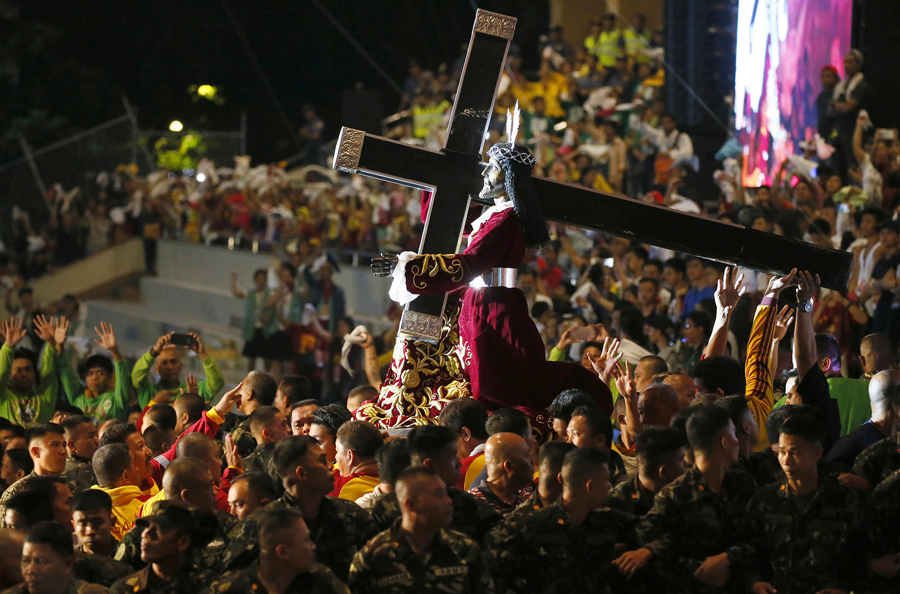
point(169, 367)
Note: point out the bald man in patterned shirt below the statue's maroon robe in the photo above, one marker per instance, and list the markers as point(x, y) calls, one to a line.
point(510, 472)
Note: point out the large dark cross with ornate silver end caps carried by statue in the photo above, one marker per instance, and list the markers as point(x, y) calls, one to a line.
point(454, 176)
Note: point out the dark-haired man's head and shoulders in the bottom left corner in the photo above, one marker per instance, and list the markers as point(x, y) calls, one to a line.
point(47, 563)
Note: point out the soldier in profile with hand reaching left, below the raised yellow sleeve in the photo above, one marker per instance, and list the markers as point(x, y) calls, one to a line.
point(694, 520)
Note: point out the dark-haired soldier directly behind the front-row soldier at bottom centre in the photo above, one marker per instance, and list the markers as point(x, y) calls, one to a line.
point(434, 447)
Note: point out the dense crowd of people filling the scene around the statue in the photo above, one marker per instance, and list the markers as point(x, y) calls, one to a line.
point(734, 461)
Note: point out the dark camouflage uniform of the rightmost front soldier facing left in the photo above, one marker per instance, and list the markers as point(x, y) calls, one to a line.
point(803, 550)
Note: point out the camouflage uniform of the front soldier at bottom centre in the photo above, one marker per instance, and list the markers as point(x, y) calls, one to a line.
point(387, 565)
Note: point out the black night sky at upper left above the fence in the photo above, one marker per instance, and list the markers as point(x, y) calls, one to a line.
point(77, 58)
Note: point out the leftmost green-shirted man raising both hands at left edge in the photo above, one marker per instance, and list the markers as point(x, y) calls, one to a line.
point(21, 400)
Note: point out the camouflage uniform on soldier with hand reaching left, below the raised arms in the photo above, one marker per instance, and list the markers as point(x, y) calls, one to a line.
point(689, 522)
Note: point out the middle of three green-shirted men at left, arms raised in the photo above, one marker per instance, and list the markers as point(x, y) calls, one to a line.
point(98, 399)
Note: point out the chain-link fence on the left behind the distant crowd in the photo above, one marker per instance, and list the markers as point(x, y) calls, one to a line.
point(71, 162)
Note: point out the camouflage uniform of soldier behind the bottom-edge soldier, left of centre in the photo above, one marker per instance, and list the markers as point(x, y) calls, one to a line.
point(339, 530)
